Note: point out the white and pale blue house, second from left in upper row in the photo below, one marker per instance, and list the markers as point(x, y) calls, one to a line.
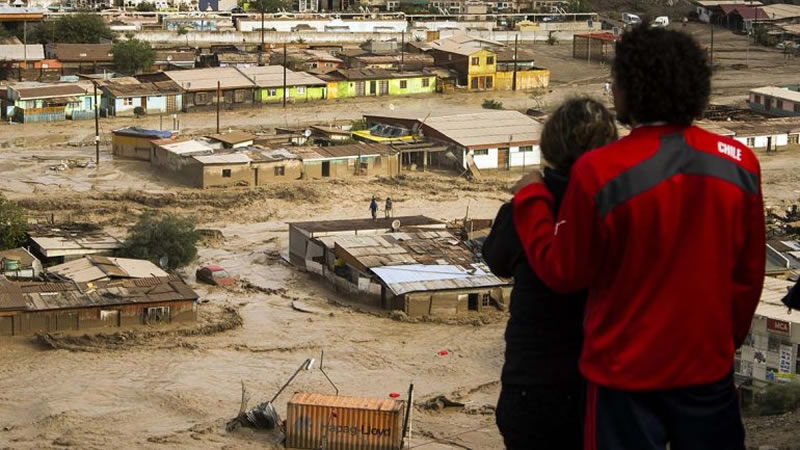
point(122, 97)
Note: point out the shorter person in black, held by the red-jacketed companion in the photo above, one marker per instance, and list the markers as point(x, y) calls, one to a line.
point(541, 403)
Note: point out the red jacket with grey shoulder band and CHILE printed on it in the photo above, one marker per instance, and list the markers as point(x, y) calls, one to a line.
point(665, 228)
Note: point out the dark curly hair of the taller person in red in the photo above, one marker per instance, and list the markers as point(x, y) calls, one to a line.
point(663, 75)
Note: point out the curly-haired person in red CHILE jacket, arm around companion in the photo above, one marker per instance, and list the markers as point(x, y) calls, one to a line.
point(665, 228)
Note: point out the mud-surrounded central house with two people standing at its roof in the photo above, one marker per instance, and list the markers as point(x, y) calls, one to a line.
point(424, 273)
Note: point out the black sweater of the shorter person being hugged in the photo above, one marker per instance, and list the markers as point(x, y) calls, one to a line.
point(544, 332)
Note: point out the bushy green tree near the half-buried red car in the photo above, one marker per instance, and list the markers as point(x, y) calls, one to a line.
point(162, 236)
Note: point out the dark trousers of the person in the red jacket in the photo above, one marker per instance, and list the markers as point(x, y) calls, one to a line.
point(695, 418)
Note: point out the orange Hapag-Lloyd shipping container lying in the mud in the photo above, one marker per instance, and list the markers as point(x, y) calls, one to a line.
point(344, 423)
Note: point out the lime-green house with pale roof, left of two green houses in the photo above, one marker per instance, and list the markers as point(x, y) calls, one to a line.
point(301, 86)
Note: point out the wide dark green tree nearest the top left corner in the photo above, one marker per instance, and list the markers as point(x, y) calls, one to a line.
point(81, 28)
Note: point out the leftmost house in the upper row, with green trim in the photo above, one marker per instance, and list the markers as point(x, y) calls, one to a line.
point(37, 102)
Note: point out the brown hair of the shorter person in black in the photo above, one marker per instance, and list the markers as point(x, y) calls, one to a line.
point(577, 126)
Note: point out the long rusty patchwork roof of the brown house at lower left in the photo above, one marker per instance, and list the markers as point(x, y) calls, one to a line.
point(38, 296)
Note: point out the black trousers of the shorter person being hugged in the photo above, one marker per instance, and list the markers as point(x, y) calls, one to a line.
point(541, 416)
